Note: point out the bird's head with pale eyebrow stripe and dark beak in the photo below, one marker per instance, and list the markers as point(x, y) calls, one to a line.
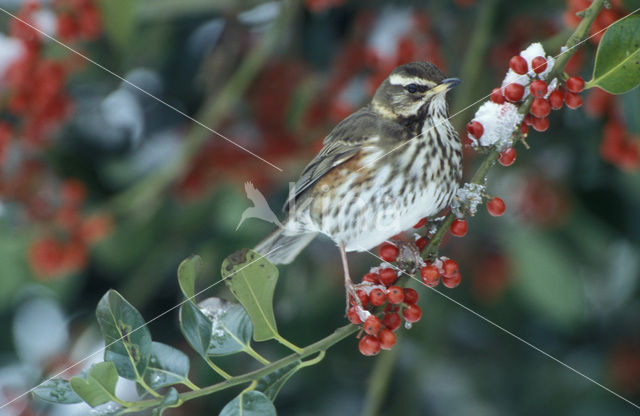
point(410, 89)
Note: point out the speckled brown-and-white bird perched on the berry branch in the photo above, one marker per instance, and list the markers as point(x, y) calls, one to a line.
point(391, 163)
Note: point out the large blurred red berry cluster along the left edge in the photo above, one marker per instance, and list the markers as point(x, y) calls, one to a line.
point(34, 104)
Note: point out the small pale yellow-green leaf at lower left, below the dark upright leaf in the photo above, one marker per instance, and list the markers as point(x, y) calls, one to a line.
point(100, 385)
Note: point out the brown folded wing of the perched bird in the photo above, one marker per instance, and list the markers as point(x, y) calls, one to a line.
point(345, 140)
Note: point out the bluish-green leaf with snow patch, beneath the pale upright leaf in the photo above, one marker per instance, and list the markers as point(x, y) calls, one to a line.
point(231, 326)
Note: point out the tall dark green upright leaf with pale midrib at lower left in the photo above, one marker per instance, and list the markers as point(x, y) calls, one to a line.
point(127, 339)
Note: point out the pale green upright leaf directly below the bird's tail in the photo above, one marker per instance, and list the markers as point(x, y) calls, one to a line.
point(252, 280)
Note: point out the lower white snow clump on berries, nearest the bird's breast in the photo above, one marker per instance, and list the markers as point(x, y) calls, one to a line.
point(498, 121)
